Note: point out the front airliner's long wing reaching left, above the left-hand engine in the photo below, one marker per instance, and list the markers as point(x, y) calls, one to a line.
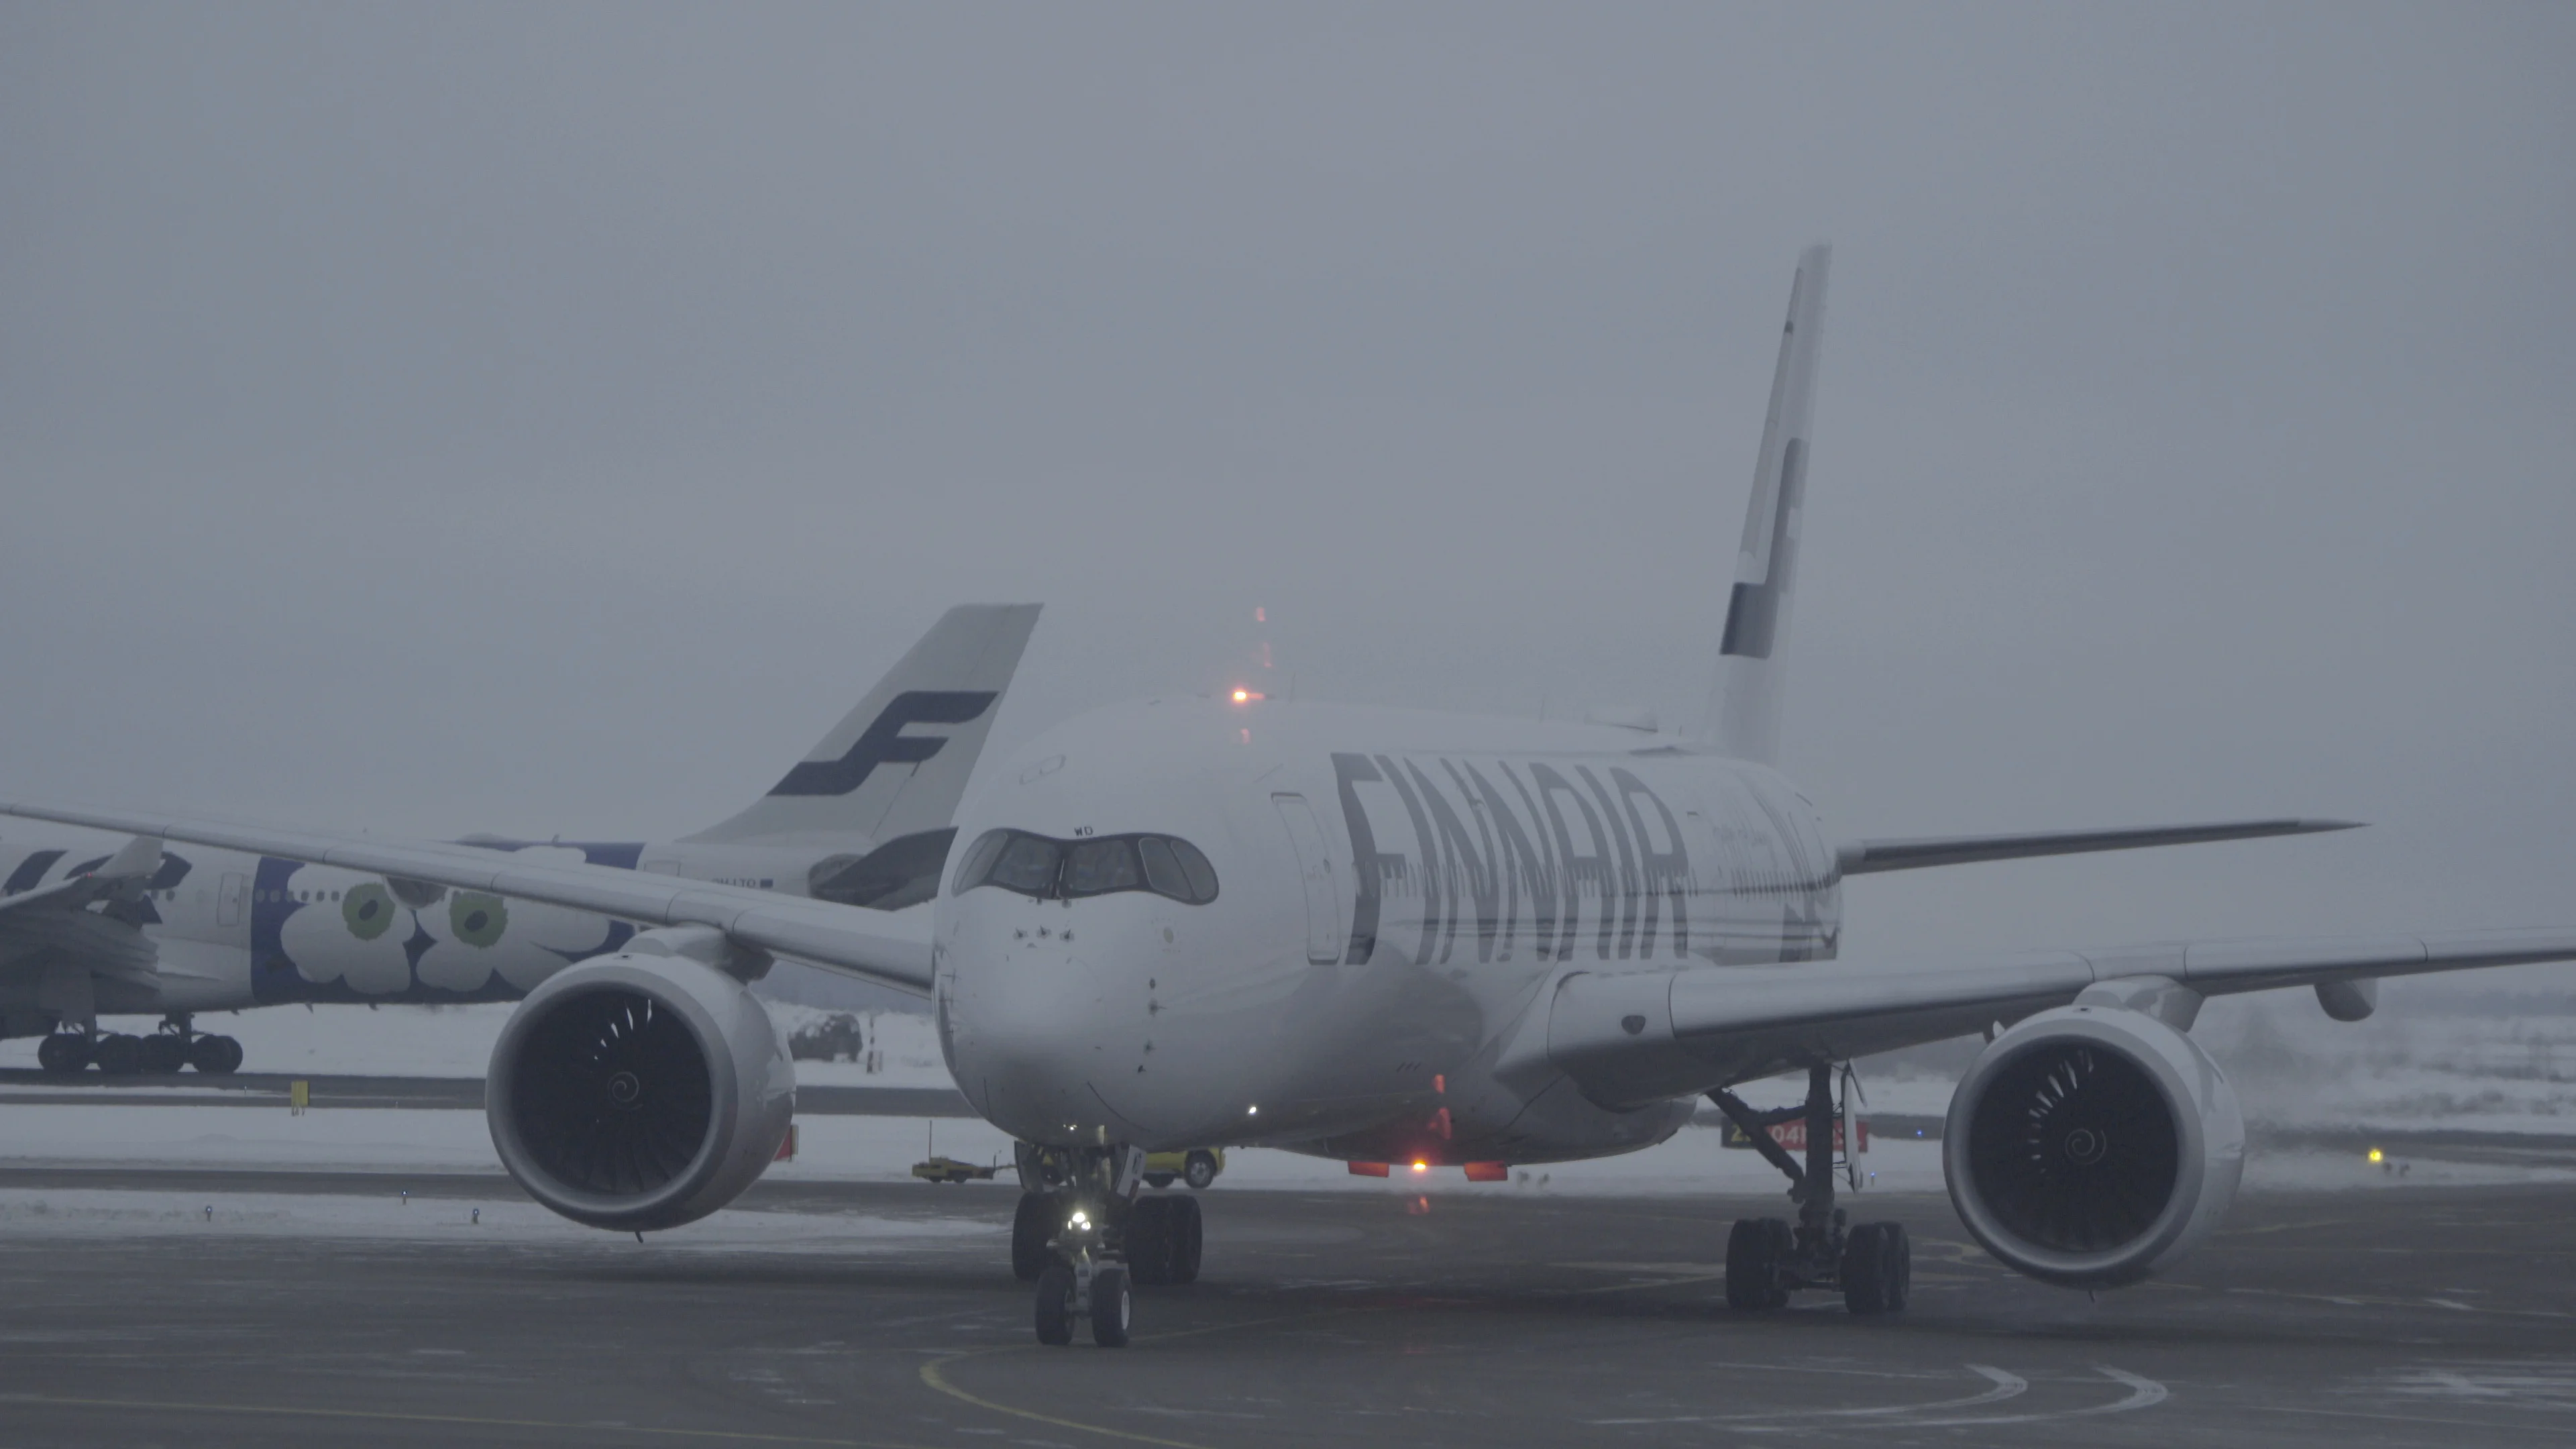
point(890, 950)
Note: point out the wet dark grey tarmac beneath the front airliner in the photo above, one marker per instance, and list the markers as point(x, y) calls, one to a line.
point(2387, 1316)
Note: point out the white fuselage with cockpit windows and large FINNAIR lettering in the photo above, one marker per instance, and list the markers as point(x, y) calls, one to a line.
point(1395, 891)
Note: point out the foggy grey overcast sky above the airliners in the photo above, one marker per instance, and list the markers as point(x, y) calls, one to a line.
point(550, 419)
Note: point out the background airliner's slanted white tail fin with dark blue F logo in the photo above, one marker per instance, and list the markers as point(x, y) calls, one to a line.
point(898, 764)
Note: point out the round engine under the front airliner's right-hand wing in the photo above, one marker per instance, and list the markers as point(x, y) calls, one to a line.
point(2093, 1146)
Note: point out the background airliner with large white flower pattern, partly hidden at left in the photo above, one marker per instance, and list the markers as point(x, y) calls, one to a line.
point(97, 932)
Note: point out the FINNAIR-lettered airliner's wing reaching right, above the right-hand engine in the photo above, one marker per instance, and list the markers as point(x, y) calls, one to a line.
point(1658, 1035)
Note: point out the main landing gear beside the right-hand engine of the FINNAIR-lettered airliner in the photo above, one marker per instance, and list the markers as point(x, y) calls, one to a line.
point(1768, 1259)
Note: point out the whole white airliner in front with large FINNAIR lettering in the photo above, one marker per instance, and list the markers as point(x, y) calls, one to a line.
point(1385, 935)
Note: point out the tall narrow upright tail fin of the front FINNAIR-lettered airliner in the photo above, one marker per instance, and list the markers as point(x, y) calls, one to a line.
point(1745, 705)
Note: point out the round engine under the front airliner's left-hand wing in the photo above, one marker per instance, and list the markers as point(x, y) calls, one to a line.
point(640, 1092)
